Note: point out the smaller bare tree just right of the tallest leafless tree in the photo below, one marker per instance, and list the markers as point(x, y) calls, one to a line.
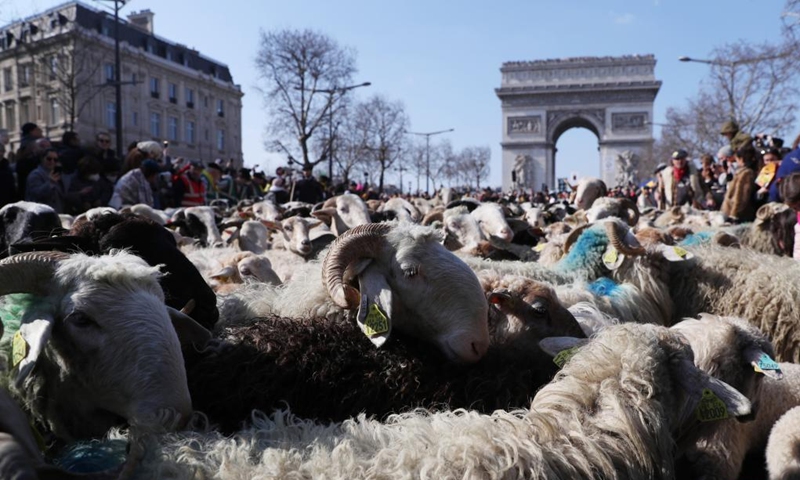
point(383, 124)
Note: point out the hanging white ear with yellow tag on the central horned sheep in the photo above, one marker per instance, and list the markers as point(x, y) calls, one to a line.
point(375, 310)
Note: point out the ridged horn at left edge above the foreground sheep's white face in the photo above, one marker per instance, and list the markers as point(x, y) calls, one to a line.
point(28, 272)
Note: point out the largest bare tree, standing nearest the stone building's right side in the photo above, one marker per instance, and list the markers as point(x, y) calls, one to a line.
point(301, 75)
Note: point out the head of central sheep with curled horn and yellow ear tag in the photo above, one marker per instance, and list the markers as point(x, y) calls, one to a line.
point(407, 280)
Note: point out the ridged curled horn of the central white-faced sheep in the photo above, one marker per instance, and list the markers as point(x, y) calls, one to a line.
point(363, 241)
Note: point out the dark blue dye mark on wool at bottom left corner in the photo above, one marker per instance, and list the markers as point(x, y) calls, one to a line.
point(93, 456)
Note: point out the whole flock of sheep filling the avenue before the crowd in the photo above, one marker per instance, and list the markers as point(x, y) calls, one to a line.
point(428, 339)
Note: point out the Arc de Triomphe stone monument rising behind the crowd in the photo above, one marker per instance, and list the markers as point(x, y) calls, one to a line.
point(611, 96)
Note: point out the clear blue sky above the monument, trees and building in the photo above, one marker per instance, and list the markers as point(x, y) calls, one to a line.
point(441, 58)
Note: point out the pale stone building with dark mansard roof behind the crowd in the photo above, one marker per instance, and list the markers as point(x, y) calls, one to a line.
point(57, 70)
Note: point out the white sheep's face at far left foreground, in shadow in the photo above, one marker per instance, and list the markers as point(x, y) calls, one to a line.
point(104, 350)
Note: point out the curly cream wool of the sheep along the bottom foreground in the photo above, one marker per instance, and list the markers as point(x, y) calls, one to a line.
point(610, 413)
